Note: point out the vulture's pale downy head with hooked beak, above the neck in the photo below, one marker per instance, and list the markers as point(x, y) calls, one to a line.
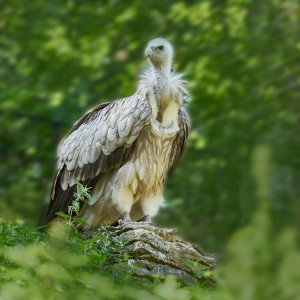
point(159, 52)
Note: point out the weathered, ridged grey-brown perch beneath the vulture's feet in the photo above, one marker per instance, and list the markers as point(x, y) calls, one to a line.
point(158, 252)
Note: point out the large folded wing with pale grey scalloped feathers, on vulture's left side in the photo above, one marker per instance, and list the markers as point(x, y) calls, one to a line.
point(100, 141)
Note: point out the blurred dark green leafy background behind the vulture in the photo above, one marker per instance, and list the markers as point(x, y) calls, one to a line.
point(242, 61)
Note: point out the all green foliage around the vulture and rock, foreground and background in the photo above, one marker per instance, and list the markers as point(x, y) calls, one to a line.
point(234, 196)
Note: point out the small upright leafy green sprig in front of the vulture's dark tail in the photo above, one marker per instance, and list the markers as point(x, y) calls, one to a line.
point(82, 194)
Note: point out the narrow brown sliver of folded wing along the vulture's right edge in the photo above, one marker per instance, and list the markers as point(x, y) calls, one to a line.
point(180, 141)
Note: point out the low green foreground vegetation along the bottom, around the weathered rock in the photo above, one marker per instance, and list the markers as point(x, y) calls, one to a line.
point(259, 264)
